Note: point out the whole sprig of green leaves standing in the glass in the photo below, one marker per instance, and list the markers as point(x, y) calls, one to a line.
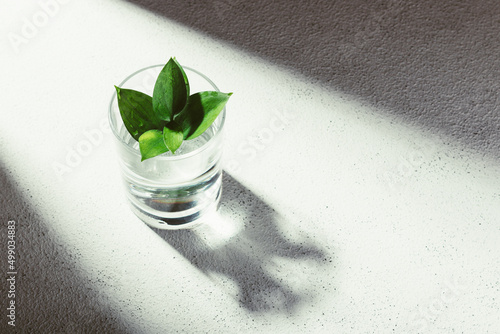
point(162, 122)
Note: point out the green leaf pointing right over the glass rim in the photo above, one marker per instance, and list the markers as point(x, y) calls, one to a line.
point(200, 112)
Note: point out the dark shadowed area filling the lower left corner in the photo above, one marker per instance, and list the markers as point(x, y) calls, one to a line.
point(51, 293)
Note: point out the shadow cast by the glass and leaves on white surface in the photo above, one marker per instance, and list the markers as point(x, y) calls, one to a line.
point(246, 254)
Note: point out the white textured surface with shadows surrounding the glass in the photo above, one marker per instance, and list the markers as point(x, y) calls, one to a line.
point(362, 186)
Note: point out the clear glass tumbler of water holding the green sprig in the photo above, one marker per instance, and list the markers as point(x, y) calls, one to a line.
point(170, 191)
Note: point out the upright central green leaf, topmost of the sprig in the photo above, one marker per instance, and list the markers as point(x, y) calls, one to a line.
point(171, 90)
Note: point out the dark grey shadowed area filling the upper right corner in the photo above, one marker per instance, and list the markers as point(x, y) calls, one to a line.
point(428, 62)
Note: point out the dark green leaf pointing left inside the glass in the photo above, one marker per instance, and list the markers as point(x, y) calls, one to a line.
point(137, 113)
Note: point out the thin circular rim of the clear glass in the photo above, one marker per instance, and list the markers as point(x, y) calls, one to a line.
point(222, 115)
